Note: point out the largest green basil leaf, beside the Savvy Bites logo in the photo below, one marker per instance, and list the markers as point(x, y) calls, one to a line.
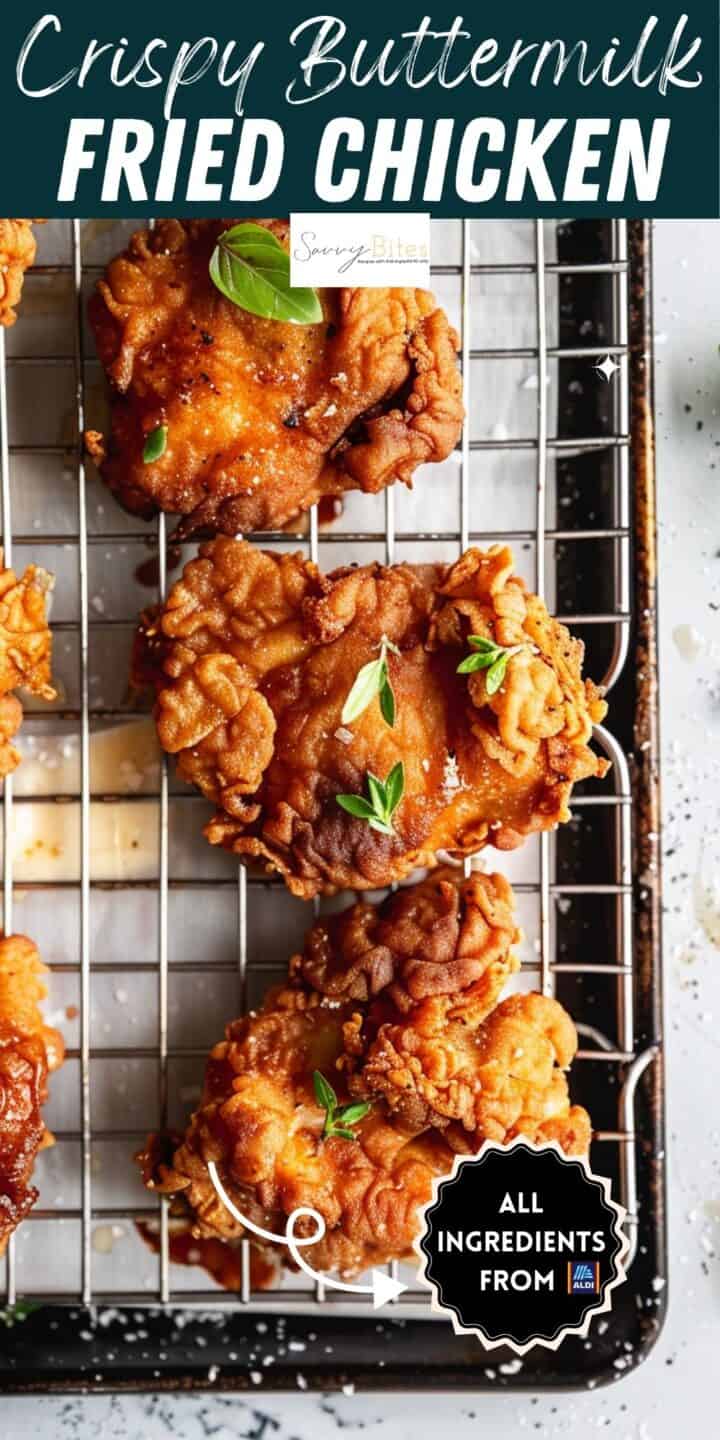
point(251, 269)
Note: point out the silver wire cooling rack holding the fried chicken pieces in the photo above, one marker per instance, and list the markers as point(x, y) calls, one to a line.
point(545, 967)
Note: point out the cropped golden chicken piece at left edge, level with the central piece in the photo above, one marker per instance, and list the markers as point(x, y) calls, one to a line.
point(25, 652)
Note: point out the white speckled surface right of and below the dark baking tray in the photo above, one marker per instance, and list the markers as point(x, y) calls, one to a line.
point(679, 1379)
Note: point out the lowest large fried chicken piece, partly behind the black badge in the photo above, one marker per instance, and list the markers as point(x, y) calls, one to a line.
point(397, 1004)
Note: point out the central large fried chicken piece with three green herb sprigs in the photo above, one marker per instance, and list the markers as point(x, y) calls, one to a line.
point(254, 657)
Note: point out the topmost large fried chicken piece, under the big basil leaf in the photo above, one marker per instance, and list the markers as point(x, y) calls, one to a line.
point(264, 418)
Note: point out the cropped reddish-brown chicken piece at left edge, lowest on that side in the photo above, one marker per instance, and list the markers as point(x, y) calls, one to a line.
point(30, 1050)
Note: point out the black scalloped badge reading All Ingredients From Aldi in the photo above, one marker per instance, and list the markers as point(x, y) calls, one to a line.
point(522, 1245)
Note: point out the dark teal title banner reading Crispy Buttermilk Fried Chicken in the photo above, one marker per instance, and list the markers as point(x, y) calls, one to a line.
point(480, 110)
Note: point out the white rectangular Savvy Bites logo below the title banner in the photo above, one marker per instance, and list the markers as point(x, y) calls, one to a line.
point(361, 250)
